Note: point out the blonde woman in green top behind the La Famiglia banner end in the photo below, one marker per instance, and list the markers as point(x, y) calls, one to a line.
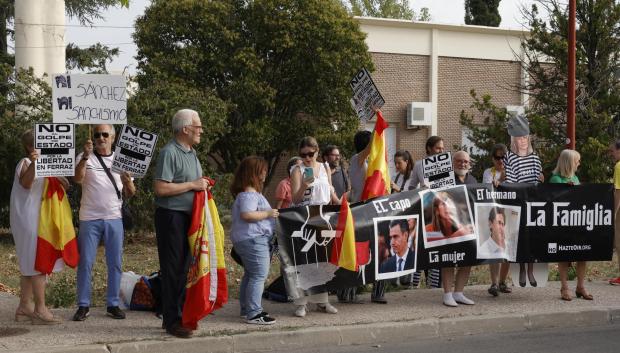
point(564, 173)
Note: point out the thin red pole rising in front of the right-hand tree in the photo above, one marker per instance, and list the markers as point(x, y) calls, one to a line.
point(570, 117)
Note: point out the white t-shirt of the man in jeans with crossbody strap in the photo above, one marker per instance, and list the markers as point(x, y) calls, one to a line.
point(99, 200)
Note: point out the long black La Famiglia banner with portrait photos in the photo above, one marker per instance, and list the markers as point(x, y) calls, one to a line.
point(456, 226)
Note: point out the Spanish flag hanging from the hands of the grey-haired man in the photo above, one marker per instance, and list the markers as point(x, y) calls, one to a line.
point(206, 288)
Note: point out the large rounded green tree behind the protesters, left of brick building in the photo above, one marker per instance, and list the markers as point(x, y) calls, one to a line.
point(281, 66)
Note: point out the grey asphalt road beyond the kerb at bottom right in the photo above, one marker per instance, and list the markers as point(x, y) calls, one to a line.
point(603, 339)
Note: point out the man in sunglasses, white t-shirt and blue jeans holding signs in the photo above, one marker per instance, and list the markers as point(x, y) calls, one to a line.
point(100, 219)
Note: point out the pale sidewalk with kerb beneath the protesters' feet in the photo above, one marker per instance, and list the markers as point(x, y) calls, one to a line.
point(409, 313)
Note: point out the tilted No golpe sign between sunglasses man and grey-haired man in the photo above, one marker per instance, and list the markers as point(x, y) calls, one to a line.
point(134, 150)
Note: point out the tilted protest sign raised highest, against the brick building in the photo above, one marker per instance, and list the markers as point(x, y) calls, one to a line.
point(366, 96)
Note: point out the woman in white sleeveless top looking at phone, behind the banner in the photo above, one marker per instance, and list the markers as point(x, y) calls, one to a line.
point(311, 185)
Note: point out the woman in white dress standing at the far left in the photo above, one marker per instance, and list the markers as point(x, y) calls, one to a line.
point(25, 208)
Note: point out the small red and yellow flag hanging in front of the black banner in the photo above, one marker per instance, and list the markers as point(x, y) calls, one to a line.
point(343, 249)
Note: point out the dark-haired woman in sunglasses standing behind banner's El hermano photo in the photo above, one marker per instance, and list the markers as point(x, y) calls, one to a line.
point(495, 175)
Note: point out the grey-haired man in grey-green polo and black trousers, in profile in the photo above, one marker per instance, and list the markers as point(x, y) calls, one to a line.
point(178, 175)
